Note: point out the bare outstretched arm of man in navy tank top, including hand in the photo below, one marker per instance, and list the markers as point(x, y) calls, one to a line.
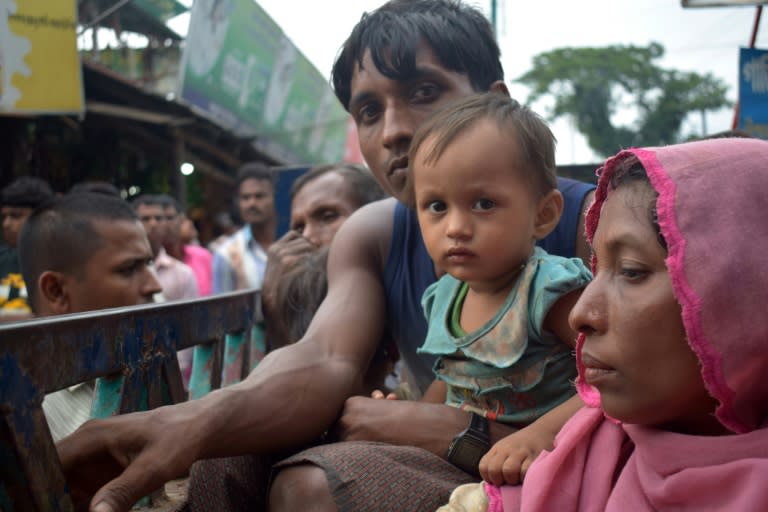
point(291, 398)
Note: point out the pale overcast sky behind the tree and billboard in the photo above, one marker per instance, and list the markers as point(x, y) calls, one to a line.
point(702, 39)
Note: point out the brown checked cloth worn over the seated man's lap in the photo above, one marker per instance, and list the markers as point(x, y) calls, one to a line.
point(362, 476)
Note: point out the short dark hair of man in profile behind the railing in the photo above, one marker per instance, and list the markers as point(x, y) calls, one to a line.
point(61, 236)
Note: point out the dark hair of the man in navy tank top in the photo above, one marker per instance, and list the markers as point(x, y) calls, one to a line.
point(460, 36)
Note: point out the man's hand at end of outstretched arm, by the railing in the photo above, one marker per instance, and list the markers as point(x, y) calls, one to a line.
point(115, 462)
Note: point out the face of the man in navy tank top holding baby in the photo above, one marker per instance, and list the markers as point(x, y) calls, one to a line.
point(387, 112)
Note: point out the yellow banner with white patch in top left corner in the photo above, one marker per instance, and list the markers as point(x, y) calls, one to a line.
point(39, 63)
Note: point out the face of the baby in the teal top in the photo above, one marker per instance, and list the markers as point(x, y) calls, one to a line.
point(477, 213)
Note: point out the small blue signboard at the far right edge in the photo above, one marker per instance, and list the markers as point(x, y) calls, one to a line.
point(753, 92)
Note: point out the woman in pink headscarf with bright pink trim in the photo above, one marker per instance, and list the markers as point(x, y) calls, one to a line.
point(673, 350)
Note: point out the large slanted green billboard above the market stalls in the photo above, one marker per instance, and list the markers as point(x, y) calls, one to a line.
point(240, 70)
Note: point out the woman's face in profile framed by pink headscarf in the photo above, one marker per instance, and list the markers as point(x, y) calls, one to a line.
point(635, 350)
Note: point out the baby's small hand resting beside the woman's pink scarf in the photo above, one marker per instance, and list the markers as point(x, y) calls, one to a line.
point(508, 460)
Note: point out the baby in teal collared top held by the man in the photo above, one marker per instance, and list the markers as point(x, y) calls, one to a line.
point(484, 189)
